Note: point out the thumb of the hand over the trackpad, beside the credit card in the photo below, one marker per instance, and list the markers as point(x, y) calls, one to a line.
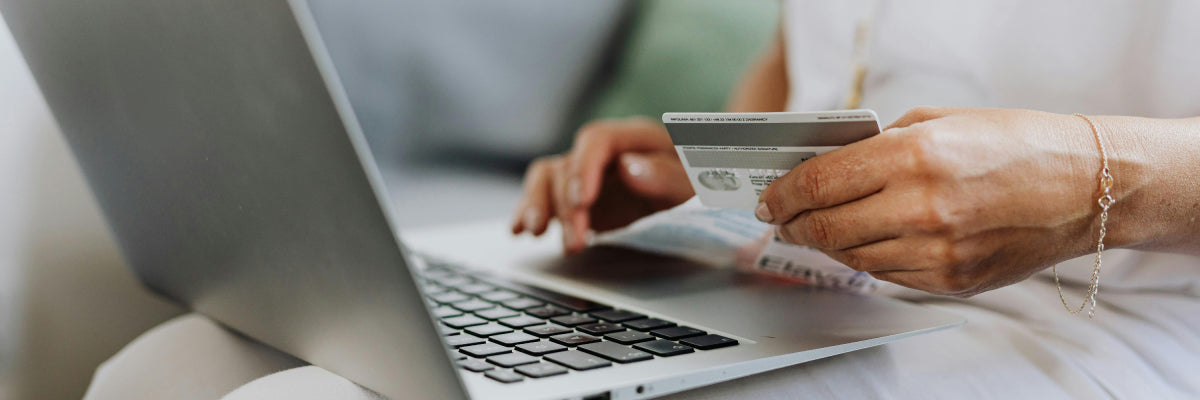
point(657, 176)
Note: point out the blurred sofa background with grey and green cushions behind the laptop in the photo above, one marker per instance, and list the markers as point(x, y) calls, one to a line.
point(457, 98)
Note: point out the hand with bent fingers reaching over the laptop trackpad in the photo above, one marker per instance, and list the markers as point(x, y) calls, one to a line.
point(619, 171)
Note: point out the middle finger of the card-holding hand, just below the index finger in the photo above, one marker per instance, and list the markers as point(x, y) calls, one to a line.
point(880, 217)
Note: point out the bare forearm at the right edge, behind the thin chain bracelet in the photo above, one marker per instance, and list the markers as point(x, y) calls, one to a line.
point(1156, 168)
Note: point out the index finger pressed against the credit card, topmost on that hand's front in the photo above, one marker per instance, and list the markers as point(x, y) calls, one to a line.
point(842, 176)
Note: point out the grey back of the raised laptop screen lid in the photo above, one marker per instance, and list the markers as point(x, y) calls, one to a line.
point(218, 141)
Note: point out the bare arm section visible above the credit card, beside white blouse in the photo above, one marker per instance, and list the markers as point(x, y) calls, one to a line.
point(764, 88)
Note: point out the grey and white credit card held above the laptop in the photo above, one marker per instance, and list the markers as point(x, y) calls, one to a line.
point(731, 158)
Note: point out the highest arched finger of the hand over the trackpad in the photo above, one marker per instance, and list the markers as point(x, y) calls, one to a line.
point(598, 145)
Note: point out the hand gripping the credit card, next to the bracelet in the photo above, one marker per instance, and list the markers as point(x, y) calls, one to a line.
point(950, 201)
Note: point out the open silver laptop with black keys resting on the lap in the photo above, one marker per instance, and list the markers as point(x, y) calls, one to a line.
point(227, 160)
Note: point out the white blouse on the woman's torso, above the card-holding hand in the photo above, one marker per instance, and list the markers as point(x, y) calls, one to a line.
point(1127, 58)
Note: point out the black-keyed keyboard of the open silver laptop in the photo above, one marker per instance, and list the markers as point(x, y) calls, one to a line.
point(512, 332)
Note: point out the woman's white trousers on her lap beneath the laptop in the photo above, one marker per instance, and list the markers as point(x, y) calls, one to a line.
point(1018, 343)
